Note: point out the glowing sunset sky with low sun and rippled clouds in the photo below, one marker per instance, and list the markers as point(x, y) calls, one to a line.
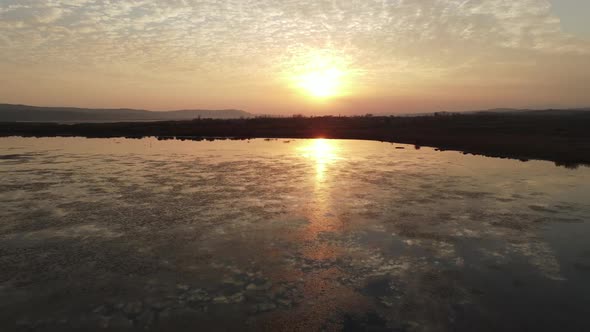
point(296, 56)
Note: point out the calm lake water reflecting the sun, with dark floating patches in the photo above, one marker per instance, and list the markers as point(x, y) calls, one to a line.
point(287, 235)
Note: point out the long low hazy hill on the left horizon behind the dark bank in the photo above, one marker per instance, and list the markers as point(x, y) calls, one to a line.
point(14, 113)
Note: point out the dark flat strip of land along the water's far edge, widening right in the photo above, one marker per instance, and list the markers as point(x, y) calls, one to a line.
point(561, 138)
